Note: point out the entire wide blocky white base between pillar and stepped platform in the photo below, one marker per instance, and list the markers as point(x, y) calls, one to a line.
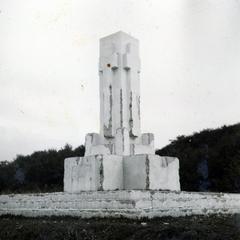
point(112, 172)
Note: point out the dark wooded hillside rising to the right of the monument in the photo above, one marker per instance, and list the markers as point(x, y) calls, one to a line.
point(209, 160)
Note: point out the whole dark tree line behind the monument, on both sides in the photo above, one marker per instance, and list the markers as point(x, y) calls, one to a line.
point(209, 161)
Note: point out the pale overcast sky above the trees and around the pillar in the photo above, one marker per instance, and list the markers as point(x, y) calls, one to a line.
point(49, 86)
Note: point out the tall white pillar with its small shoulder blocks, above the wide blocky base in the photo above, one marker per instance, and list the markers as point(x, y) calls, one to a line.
point(119, 68)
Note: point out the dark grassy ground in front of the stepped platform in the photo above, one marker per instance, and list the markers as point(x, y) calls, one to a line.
point(194, 227)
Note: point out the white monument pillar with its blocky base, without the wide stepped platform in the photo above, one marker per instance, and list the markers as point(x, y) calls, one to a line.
point(120, 157)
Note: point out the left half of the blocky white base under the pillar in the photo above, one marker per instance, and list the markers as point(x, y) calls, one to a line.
point(92, 173)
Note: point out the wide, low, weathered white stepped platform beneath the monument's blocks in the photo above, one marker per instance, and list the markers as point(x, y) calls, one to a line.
point(130, 204)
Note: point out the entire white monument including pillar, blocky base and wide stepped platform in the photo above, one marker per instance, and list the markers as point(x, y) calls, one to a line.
point(120, 159)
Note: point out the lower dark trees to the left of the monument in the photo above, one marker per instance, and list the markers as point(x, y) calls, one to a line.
point(41, 171)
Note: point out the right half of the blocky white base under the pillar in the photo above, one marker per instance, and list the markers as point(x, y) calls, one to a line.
point(147, 171)
